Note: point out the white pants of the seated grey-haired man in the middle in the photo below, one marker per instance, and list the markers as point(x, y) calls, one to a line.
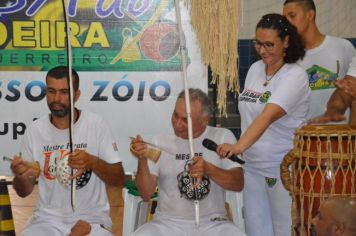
point(162, 226)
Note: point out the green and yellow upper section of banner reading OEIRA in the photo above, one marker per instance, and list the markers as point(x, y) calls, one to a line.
point(116, 35)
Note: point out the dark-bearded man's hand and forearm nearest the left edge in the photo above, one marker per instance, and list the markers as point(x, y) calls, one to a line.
point(24, 177)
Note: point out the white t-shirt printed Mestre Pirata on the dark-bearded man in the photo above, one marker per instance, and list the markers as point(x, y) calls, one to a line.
point(44, 143)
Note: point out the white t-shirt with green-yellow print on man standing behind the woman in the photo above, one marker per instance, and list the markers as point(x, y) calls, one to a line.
point(321, 65)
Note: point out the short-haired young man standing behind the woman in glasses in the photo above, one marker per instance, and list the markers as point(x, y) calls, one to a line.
point(327, 58)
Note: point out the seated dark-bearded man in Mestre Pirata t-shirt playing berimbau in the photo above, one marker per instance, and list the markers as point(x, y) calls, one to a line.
point(94, 156)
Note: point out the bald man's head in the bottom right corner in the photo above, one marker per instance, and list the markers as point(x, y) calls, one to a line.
point(336, 217)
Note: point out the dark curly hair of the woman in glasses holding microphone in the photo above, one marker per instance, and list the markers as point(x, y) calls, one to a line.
point(280, 24)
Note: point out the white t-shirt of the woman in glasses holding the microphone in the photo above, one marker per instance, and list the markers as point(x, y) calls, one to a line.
point(288, 89)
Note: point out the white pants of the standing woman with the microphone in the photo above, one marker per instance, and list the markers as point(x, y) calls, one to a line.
point(267, 207)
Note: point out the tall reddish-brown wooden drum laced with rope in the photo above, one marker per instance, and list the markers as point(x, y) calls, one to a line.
point(321, 164)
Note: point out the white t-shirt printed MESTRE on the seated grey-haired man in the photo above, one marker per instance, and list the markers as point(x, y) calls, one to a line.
point(170, 203)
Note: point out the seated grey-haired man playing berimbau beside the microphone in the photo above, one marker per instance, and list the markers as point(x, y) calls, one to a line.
point(175, 214)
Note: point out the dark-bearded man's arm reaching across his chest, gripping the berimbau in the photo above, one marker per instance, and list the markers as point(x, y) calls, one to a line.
point(112, 174)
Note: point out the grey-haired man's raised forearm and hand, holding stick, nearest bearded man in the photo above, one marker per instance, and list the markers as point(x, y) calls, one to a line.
point(145, 182)
